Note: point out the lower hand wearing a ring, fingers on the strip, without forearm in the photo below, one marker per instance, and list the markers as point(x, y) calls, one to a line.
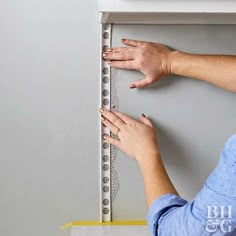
point(137, 139)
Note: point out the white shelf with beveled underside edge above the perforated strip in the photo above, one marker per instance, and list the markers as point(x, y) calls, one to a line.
point(168, 12)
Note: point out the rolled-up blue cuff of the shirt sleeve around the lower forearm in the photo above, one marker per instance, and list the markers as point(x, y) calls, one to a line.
point(160, 206)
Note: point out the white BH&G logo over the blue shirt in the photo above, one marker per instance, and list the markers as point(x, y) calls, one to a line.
point(219, 217)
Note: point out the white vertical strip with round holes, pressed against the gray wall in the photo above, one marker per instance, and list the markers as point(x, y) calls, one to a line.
point(105, 196)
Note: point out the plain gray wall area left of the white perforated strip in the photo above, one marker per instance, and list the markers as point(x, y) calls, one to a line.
point(49, 98)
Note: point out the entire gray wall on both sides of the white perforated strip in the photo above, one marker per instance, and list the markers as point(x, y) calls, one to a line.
point(49, 95)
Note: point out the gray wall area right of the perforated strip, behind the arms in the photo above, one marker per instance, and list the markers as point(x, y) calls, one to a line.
point(193, 118)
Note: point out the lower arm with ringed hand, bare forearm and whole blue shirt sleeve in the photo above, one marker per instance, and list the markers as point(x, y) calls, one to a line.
point(168, 213)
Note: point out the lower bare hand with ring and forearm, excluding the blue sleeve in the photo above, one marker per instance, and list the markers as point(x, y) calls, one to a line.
point(139, 141)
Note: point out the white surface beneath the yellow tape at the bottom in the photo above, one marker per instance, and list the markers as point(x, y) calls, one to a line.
point(110, 231)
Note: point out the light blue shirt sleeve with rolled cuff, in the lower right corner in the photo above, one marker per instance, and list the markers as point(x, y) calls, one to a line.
point(170, 215)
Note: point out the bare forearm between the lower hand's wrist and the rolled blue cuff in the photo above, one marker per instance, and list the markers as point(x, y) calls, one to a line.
point(156, 179)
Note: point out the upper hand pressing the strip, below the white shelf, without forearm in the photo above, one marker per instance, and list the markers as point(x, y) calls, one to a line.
point(152, 59)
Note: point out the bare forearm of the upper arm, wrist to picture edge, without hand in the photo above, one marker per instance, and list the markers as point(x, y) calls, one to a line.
point(219, 70)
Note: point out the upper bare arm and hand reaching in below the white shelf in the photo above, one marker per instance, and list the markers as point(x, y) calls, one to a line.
point(156, 61)
